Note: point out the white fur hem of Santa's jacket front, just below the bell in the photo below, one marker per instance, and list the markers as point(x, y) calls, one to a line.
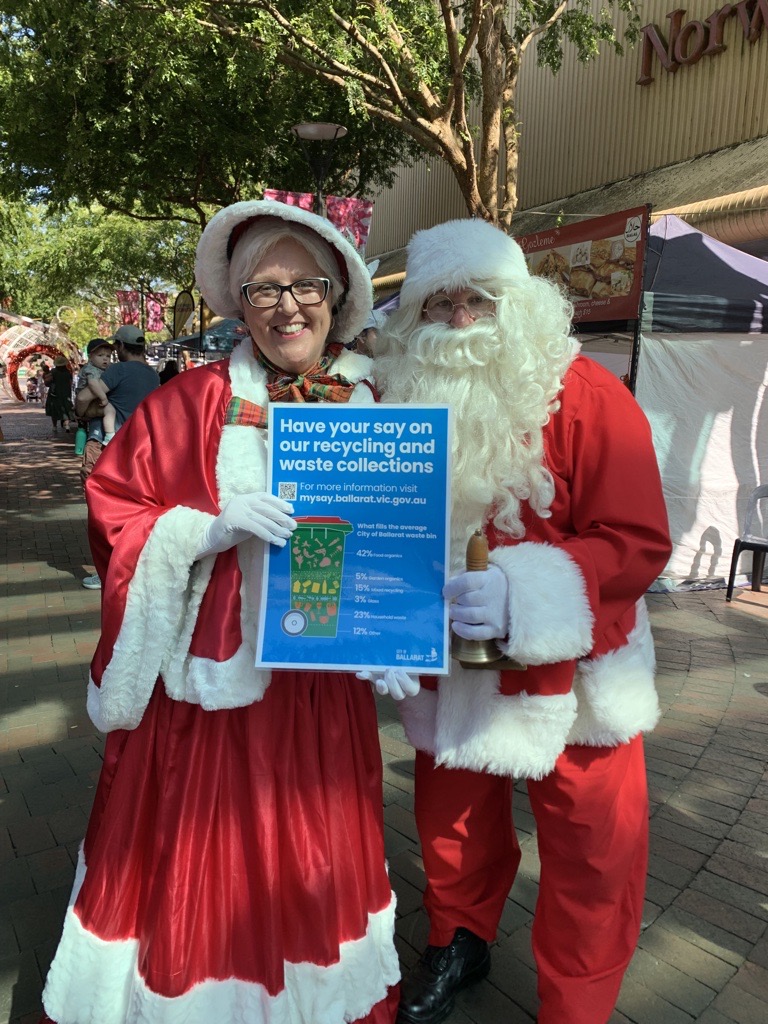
point(475, 727)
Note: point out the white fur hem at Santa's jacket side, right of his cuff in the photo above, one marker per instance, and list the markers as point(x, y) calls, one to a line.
point(616, 693)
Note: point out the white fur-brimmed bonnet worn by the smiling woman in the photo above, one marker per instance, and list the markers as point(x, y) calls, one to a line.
point(216, 248)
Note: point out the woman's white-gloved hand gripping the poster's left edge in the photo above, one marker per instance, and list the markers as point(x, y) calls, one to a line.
point(259, 515)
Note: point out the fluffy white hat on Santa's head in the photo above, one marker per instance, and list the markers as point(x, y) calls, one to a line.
point(457, 254)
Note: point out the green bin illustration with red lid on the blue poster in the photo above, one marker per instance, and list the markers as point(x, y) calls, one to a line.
point(317, 575)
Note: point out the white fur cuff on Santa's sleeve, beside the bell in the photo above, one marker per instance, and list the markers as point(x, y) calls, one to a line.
point(550, 618)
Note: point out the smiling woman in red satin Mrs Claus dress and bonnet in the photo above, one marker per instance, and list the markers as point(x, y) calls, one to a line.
point(234, 866)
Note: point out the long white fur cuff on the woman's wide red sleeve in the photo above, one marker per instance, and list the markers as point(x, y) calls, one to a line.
point(163, 588)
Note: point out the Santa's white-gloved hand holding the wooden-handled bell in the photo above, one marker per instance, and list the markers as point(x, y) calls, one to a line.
point(480, 605)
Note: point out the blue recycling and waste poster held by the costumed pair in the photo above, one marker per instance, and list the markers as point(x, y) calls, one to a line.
point(359, 585)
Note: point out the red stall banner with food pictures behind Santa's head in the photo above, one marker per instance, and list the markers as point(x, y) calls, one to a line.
point(599, 264)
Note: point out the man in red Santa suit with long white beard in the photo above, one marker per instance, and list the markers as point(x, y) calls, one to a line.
point(553, 461)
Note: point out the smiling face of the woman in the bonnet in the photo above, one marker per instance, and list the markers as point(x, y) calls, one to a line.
point(292, 336)
